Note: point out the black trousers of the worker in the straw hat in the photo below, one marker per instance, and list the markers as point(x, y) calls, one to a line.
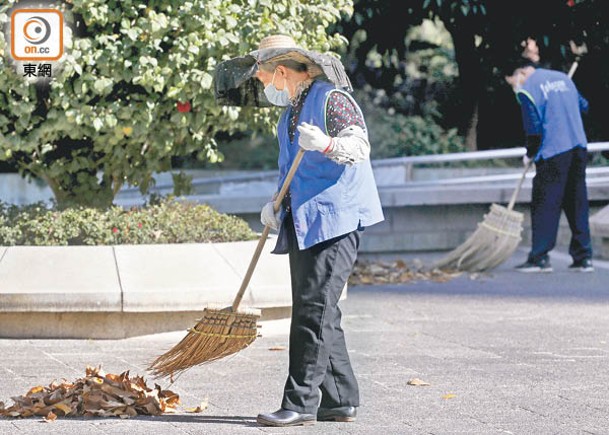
point(319, 362)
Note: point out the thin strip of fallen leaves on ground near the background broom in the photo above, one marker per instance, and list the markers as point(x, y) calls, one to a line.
point(397, 272)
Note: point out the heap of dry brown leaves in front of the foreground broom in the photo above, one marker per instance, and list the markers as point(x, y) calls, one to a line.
point(97, 394)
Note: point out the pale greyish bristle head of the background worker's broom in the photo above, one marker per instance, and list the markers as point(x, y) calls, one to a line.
point(493, 242)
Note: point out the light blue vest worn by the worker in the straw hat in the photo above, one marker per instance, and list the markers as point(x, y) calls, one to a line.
point(327, 199)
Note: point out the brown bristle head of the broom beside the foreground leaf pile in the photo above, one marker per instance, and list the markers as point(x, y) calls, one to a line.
point(219, 333)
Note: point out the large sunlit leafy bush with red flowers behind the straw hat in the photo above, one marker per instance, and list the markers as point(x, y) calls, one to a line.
point(134, 88)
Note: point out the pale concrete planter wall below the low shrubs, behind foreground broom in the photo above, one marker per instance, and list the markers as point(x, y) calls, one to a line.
point(122, 291)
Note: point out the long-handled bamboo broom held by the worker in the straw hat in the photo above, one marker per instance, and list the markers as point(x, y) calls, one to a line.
point(221, 332)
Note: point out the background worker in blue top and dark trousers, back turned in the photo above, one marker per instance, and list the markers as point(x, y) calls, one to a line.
point(556, 142)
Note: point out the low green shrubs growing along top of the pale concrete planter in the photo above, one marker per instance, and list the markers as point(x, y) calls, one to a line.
point(166, 221)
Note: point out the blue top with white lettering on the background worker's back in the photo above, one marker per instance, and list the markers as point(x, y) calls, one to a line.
point(551, 108)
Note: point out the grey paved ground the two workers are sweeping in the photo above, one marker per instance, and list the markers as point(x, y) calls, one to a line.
point(504, 353)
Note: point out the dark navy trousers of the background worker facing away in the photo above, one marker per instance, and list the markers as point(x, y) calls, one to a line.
point(560, 184)
